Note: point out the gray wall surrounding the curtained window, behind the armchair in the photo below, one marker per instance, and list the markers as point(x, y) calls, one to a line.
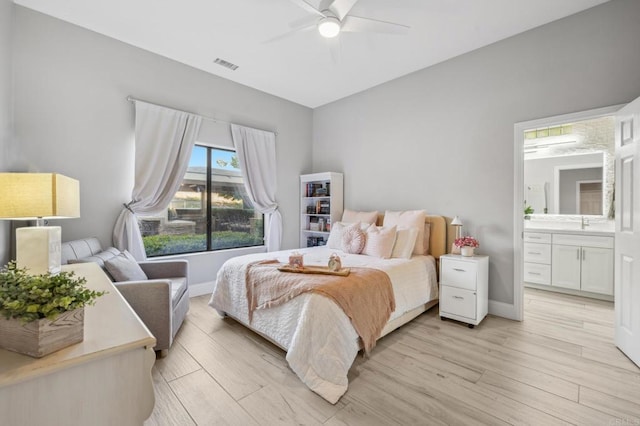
point(72, 117)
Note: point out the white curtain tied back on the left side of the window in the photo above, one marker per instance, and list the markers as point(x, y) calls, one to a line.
point(164, 140)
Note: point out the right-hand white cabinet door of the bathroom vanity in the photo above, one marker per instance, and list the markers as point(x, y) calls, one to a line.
point(597, 270)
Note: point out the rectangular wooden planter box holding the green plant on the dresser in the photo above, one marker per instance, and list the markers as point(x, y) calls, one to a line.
point(42, 337)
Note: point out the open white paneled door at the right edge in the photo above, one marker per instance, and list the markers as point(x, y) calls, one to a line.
point(627, 248)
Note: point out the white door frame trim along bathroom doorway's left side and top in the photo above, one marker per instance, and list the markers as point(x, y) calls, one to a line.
point(518, 189)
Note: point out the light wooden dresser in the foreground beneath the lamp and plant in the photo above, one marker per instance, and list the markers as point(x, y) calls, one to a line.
point(105, 379)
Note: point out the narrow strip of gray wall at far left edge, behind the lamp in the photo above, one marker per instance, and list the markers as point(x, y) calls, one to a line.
point(6, 14)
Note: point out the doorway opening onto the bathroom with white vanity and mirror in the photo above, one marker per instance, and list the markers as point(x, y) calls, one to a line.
point(563, 211)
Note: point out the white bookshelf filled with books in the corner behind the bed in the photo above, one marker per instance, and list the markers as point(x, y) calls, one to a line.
point(321, 204)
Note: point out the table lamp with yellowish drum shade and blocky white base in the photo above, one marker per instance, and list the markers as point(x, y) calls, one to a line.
point(38, 196)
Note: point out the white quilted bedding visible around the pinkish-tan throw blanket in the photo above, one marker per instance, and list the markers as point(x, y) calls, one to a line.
point(320, 341)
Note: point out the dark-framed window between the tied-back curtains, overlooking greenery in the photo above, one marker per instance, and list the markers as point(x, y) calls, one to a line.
point(210, 211)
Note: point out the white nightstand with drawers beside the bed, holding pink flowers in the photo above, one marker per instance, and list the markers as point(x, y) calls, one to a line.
point(464, 288)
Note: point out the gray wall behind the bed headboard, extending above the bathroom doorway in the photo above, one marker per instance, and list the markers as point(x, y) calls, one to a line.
point(442, 138)
